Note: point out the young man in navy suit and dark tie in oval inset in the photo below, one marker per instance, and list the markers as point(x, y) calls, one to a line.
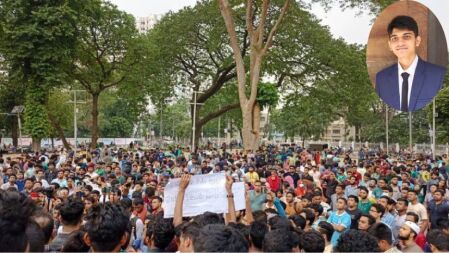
point(411, 83)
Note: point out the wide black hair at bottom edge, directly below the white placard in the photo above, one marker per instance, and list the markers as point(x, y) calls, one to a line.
point(220, 238)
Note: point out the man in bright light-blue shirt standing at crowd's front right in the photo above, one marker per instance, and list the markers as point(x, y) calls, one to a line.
point(340, 220)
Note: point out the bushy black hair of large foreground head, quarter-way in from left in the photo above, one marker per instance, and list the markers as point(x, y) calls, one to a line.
point(106, 224)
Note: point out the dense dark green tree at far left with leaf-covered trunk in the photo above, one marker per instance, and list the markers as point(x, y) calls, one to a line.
point(37, 37)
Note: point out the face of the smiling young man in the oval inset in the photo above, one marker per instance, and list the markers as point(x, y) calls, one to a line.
point(403, 43)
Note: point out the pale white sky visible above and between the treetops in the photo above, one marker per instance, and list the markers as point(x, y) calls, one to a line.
point(353, 28)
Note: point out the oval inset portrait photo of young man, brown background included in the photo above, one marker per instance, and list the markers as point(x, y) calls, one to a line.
point(407, 56)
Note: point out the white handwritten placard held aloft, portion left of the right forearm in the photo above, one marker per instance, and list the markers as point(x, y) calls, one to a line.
point(204, 193)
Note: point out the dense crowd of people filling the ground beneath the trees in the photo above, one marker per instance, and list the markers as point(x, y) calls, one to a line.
point(112, 200)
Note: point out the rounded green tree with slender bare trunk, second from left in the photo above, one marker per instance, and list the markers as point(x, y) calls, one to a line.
point(107, 53)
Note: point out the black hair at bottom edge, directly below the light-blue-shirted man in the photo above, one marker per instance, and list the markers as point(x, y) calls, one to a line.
point(356, 241)
